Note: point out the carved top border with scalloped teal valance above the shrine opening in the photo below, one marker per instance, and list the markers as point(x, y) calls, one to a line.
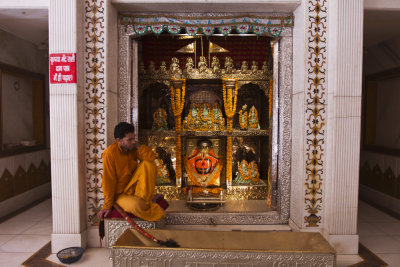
point(208, 25)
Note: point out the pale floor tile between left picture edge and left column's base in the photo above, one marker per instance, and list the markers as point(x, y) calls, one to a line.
point(25, 243)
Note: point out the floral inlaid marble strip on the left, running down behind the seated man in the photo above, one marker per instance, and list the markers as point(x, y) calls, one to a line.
point(95, 119)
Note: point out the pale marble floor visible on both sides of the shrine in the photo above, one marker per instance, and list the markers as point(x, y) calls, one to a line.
point(22, 235)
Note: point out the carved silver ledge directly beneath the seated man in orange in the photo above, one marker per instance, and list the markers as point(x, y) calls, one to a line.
point(114, 228)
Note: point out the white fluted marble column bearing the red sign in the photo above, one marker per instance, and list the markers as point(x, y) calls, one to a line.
point(66, 132)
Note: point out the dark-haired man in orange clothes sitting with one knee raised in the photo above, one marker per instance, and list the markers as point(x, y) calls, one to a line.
point(124, 182)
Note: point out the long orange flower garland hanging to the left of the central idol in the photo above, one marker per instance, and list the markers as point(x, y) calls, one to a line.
point(177, 102)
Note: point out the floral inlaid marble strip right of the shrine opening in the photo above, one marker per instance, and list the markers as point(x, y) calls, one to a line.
point(315, 109)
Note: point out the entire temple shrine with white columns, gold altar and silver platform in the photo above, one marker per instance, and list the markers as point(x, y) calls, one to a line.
point(252, 108)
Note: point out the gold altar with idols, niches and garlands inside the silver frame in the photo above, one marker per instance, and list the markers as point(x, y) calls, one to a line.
point(208, 119)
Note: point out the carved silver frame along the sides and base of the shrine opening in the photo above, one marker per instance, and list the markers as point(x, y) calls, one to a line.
point(282, 109)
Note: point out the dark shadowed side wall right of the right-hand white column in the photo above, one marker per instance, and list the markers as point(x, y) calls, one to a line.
point(380, 167)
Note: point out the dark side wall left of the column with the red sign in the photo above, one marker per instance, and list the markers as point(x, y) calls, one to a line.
point(24, 177)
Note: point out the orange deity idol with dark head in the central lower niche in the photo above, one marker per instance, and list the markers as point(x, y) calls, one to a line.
point(203, 166)
